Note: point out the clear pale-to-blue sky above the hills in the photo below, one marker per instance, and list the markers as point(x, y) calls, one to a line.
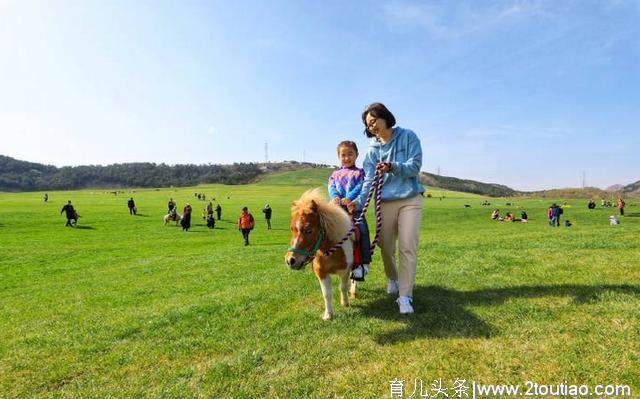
point(524, 93)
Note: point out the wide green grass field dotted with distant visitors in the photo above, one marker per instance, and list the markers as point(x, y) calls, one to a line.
point(123, 306)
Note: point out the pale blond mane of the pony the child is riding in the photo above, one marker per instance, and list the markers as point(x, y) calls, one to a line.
point(334, 219)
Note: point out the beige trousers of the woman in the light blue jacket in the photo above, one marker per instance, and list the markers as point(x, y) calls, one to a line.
point(401, 222)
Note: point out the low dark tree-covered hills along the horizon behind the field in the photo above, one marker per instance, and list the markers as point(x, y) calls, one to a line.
point(17, 175)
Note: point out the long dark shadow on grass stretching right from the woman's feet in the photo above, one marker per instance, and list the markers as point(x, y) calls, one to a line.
point(442, 313)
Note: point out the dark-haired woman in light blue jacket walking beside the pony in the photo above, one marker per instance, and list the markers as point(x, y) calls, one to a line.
point(396, 152)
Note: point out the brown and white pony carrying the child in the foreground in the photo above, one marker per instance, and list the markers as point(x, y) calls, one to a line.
point(316, 226)
